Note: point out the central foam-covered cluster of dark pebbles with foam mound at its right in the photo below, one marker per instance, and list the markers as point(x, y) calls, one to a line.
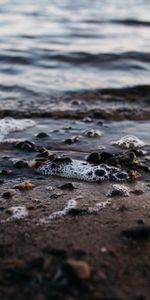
point(98, 167)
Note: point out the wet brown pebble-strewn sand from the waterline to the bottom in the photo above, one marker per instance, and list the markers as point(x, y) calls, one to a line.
point(83, 253)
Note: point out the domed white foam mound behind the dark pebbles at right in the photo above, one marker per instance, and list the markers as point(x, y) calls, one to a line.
point(128, 142)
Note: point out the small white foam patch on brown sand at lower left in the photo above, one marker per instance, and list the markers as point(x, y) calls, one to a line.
point(17, 212)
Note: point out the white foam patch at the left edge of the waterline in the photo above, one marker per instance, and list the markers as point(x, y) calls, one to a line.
point(8, 125)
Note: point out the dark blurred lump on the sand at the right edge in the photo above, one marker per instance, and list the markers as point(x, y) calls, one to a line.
point(141, 232)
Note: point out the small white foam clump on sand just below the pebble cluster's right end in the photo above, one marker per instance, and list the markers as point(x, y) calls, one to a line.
point(118, 190)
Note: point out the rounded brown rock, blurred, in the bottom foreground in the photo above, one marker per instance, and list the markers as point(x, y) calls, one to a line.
point(77, 269)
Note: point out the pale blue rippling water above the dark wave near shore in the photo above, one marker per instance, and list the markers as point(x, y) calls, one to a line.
point(52, 47)
